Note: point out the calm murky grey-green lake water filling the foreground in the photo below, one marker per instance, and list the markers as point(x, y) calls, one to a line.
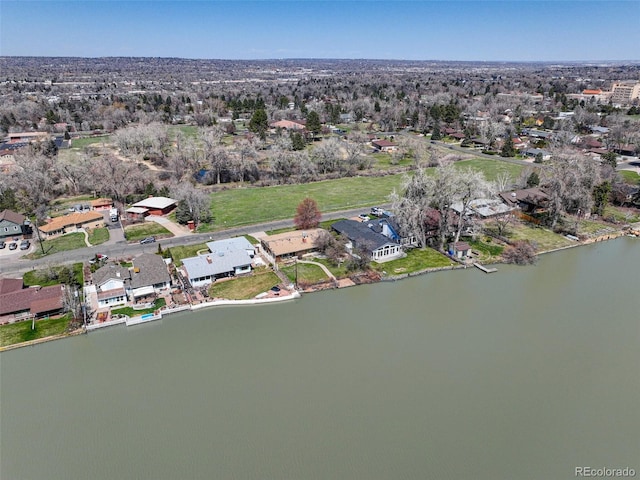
point(526, 373)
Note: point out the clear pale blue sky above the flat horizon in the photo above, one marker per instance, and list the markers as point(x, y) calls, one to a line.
point(525, 30)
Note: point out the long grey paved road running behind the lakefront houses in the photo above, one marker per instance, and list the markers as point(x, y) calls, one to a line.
point(17, 266)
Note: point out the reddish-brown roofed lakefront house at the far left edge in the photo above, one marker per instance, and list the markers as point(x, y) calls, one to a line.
point(18, 303)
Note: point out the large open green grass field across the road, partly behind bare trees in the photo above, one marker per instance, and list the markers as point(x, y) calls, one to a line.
point(244, 206)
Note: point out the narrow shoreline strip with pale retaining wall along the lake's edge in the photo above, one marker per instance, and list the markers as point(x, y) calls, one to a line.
point(138, 320)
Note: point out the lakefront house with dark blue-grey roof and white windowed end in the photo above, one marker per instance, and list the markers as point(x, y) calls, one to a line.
point(363, 237)
